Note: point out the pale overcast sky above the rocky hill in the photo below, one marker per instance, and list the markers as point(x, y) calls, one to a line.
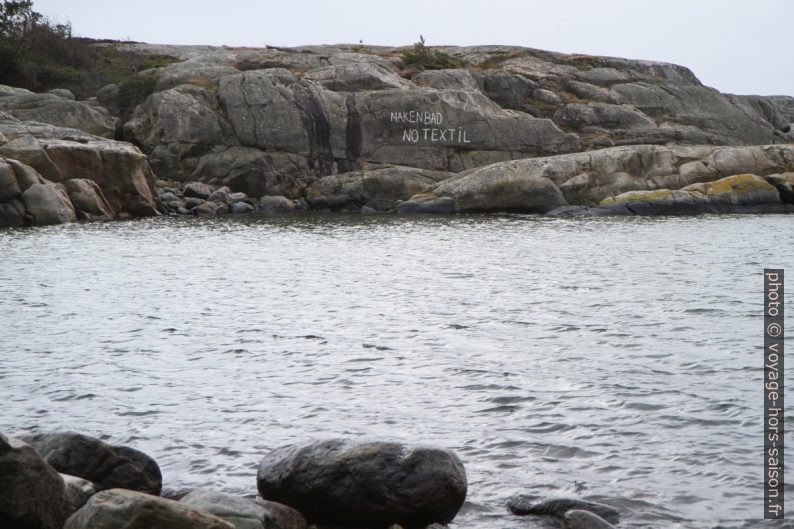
point(742, 47)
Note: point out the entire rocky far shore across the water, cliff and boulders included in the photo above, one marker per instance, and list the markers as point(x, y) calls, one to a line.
point(359, 129)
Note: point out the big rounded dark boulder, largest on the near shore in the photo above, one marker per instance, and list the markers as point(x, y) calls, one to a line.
point(373, 483)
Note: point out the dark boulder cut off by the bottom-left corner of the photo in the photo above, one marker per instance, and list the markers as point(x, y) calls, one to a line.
point(33, 494)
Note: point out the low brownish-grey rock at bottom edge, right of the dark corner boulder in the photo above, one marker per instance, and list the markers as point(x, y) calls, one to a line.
point(126, 509)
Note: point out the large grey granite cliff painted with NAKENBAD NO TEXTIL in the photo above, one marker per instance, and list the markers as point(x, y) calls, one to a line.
point(273, 121)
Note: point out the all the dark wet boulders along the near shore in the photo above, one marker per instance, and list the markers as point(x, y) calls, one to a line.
point(66, 480)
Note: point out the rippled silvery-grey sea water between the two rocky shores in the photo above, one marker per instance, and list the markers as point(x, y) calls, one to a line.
point(616, 360)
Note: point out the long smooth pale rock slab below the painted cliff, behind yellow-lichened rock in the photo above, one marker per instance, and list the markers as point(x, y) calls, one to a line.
point(539, 185)
